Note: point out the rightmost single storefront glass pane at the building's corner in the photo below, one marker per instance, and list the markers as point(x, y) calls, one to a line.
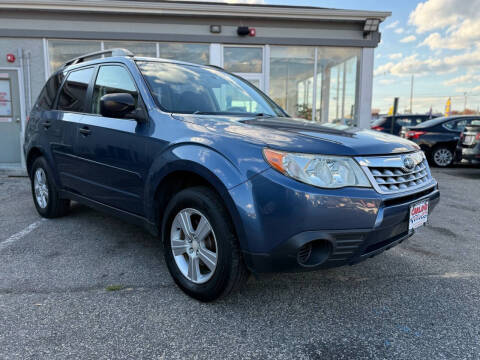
point(337, 84)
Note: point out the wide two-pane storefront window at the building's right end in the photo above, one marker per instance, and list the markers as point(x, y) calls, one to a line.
point(293, 82)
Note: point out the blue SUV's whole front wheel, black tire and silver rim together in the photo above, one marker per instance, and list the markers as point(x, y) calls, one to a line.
point(205, 210)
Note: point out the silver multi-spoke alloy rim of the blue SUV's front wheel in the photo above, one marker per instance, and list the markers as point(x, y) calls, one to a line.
point(194, 245)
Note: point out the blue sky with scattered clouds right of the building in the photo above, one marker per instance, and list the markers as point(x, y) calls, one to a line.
point(437, 40)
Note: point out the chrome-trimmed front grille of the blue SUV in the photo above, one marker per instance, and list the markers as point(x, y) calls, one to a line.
point(389, 174)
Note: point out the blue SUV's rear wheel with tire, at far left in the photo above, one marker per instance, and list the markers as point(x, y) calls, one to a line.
point(41, 178)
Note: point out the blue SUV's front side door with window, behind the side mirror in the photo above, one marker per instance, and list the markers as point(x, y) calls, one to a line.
point(113, 152)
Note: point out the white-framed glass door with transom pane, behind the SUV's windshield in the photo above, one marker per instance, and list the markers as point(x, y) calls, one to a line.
point(246, 62)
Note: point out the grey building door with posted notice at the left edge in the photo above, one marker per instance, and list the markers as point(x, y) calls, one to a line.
point(10, 118)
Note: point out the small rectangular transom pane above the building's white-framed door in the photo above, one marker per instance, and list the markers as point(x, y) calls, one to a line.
point(243, 59)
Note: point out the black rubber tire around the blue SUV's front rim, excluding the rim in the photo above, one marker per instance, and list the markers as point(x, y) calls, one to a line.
point(194, 199)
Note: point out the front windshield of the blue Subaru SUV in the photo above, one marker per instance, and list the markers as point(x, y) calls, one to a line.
point(190, 89)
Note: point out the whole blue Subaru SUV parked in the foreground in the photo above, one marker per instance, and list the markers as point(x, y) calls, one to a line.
point(229, 182)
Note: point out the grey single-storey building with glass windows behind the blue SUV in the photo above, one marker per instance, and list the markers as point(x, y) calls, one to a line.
point(316, 63)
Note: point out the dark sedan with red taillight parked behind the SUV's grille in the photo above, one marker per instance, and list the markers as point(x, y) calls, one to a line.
point(438, 138)
